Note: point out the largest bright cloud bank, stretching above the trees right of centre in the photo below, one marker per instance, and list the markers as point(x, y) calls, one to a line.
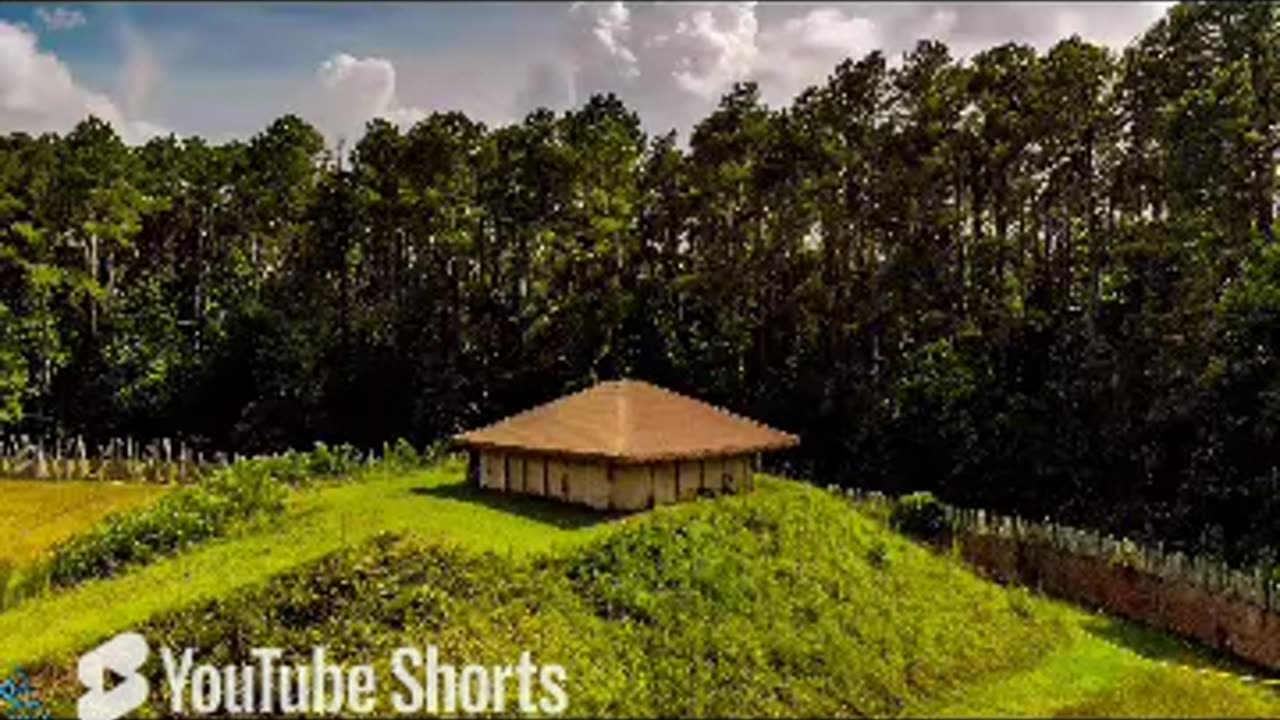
point(673, 61)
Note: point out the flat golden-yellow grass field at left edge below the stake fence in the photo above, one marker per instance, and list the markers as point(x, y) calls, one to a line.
point(38, 514)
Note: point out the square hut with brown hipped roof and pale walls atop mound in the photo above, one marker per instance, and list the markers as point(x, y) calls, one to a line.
point(623, 445)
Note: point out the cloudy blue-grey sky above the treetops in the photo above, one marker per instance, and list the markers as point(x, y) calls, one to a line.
point(226, 71)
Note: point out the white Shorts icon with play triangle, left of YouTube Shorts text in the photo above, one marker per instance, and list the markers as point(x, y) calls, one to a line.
point(122, 658)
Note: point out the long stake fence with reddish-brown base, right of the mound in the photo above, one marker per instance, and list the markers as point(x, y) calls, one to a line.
point(1197, 596)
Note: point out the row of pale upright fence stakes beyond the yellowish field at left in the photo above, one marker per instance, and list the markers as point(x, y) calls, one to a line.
point(162, 461)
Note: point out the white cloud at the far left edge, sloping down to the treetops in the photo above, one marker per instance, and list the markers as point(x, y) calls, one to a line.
point(38, 93)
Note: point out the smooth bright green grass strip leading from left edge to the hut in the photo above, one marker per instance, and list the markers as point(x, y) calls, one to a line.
point(429, 504)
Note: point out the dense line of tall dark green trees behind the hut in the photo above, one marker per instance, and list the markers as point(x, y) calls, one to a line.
point(1044, 282)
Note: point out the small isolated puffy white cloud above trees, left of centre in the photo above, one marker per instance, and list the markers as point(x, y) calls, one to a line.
point(350, 92)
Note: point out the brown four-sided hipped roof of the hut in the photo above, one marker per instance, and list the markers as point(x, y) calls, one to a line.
point(629, 422)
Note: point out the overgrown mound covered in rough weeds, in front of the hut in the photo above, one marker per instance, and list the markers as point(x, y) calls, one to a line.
point(785, 603)
